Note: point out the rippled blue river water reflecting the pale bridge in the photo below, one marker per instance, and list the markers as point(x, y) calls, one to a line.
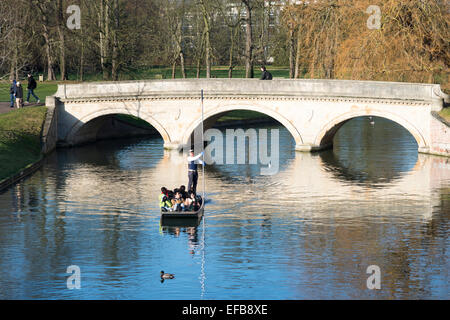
point(308, 232)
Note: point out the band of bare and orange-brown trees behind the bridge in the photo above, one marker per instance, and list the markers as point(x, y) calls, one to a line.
point(329, 39)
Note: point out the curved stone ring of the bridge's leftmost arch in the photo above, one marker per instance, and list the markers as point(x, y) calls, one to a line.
point(74, 130)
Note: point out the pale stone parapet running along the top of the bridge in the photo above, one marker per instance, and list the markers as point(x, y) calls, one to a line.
point(252, 87)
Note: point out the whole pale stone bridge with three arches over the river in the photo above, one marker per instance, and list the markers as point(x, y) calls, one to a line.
point(311, 110)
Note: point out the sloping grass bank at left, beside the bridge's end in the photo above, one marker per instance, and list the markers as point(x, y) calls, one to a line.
point(20, 144)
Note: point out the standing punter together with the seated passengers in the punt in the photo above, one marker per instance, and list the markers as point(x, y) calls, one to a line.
point(180, 200)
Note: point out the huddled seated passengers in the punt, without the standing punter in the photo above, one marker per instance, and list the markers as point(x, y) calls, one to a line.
point(179, 200)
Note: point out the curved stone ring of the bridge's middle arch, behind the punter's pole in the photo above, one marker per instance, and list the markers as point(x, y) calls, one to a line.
point(211, 116)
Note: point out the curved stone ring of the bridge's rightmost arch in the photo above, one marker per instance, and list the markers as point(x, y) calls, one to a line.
point(325, 136)
